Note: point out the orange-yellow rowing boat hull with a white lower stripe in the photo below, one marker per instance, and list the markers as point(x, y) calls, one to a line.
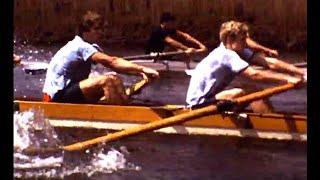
point(268, 126)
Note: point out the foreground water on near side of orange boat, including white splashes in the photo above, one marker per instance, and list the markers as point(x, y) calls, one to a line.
point(159, 156)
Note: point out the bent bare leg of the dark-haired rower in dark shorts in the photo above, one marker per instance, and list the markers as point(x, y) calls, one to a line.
point(109, 87)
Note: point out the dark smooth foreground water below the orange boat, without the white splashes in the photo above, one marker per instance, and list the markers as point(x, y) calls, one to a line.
point(209, 157)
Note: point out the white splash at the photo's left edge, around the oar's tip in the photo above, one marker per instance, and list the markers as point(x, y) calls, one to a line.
point(31, 129)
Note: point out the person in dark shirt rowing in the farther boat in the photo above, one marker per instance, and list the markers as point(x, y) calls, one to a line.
point(164, 34)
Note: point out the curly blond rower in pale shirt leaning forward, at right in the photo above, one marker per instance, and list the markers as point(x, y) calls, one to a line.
point(215, 72)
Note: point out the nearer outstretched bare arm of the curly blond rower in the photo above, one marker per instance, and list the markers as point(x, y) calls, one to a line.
point(262, 75)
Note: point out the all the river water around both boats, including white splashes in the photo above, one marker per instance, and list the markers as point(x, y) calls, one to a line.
point(154, 156)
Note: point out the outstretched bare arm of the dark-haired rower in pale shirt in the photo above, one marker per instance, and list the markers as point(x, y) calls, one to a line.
point(121, 65)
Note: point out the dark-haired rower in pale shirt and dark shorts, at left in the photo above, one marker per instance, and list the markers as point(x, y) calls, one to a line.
point(67, 79)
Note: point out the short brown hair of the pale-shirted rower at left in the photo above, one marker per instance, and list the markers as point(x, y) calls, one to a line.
point(87, 21)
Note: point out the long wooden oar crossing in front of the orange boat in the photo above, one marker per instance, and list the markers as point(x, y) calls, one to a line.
point(178, 119)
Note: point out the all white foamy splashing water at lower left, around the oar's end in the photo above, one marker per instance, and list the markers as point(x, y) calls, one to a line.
point(31, 129)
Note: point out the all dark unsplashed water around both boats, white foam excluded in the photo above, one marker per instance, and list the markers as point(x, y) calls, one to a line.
point(177, 156)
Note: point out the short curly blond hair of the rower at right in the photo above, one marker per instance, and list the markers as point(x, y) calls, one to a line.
point(232, 29)
